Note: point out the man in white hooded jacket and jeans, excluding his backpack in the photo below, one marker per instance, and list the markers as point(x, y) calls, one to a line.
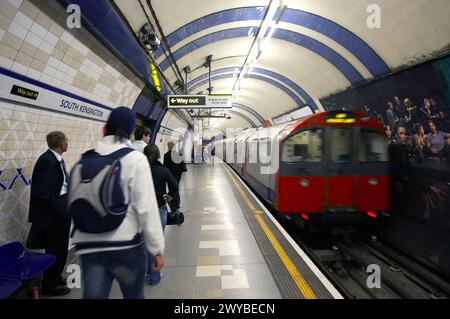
point(120, 254)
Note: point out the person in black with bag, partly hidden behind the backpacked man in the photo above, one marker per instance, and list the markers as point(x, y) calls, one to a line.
point(161, 177)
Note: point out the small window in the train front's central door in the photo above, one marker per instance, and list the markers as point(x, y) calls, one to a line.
point(341, 145)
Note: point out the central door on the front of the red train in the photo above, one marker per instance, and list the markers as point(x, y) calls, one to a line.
point(339, 190)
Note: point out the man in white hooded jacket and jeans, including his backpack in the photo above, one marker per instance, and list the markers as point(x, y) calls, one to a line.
point(113, 205)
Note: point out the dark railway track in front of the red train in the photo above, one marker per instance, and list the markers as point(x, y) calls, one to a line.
point(369, 269)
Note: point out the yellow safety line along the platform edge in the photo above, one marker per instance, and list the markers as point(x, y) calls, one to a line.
point(301, 283)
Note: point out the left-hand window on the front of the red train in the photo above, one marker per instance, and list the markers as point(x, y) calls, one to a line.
point(304, 147)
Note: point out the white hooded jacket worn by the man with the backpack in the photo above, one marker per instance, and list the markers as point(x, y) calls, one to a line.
point(143, 211)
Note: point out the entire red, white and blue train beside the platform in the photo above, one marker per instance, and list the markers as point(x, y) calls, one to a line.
point(333, 167)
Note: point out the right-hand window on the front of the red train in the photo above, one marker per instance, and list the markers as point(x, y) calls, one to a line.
point(372, 147)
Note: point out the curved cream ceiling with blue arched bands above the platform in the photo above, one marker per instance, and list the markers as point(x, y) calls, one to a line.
point(319, 47)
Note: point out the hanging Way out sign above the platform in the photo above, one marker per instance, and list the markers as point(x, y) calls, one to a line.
point(218, 101)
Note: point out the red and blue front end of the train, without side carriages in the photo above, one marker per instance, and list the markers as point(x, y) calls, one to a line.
point(334, 166)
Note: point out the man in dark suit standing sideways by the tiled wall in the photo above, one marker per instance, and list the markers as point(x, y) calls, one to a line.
point(50, 221)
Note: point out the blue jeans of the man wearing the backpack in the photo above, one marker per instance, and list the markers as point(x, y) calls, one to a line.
point(127, 266)
